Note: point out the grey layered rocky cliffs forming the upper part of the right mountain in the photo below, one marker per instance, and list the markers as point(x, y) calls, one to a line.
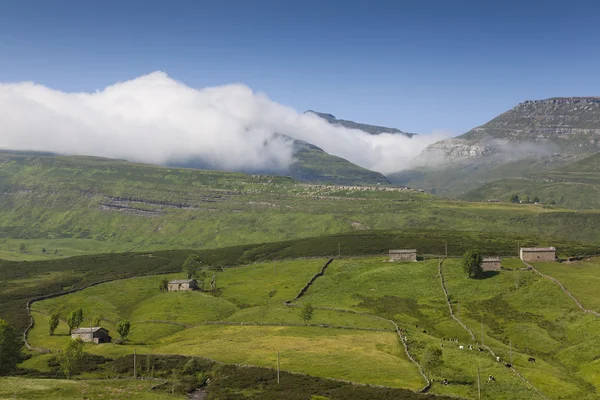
point(557, 125)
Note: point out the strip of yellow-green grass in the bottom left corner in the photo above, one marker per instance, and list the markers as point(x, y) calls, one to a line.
point(57, 389)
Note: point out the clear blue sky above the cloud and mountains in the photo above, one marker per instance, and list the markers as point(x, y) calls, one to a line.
point(416, 65)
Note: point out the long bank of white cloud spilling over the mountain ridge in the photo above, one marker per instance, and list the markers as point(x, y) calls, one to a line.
point(155, 119)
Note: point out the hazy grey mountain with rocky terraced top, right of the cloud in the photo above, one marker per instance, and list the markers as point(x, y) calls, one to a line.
point(532, 137)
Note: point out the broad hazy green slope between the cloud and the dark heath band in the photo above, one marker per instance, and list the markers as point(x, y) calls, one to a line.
point(87, 205)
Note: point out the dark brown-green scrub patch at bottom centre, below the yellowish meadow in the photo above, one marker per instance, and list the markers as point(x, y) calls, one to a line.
point(250, 383)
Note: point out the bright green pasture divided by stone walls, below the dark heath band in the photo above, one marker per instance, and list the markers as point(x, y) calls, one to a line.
point(520, 315)
